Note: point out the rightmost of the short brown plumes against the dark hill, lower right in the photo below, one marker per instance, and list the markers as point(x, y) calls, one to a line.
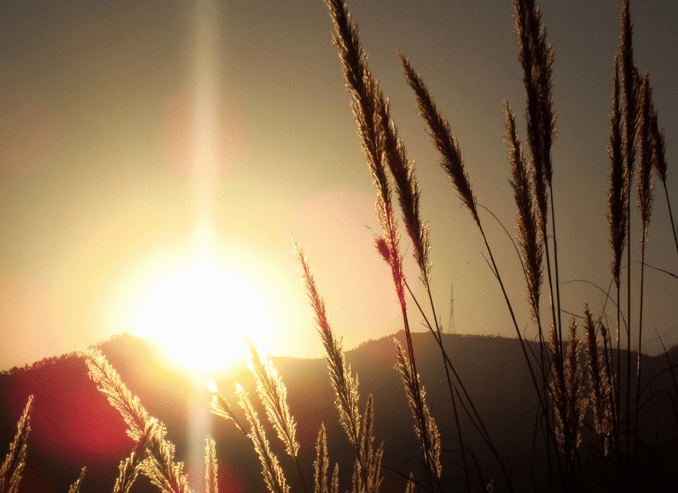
point(601, 392)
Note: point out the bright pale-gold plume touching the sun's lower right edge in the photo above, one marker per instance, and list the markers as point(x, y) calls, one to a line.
point(273, 394)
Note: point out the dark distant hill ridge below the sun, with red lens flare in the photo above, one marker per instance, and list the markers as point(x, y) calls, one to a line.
point(73, 425)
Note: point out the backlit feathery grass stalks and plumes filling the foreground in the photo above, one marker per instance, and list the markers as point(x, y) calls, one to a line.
point(586, 394)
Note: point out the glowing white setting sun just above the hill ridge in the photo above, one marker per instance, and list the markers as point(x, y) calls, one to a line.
point(203, 315)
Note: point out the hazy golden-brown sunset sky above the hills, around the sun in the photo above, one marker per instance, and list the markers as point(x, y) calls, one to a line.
point(130, 132)
